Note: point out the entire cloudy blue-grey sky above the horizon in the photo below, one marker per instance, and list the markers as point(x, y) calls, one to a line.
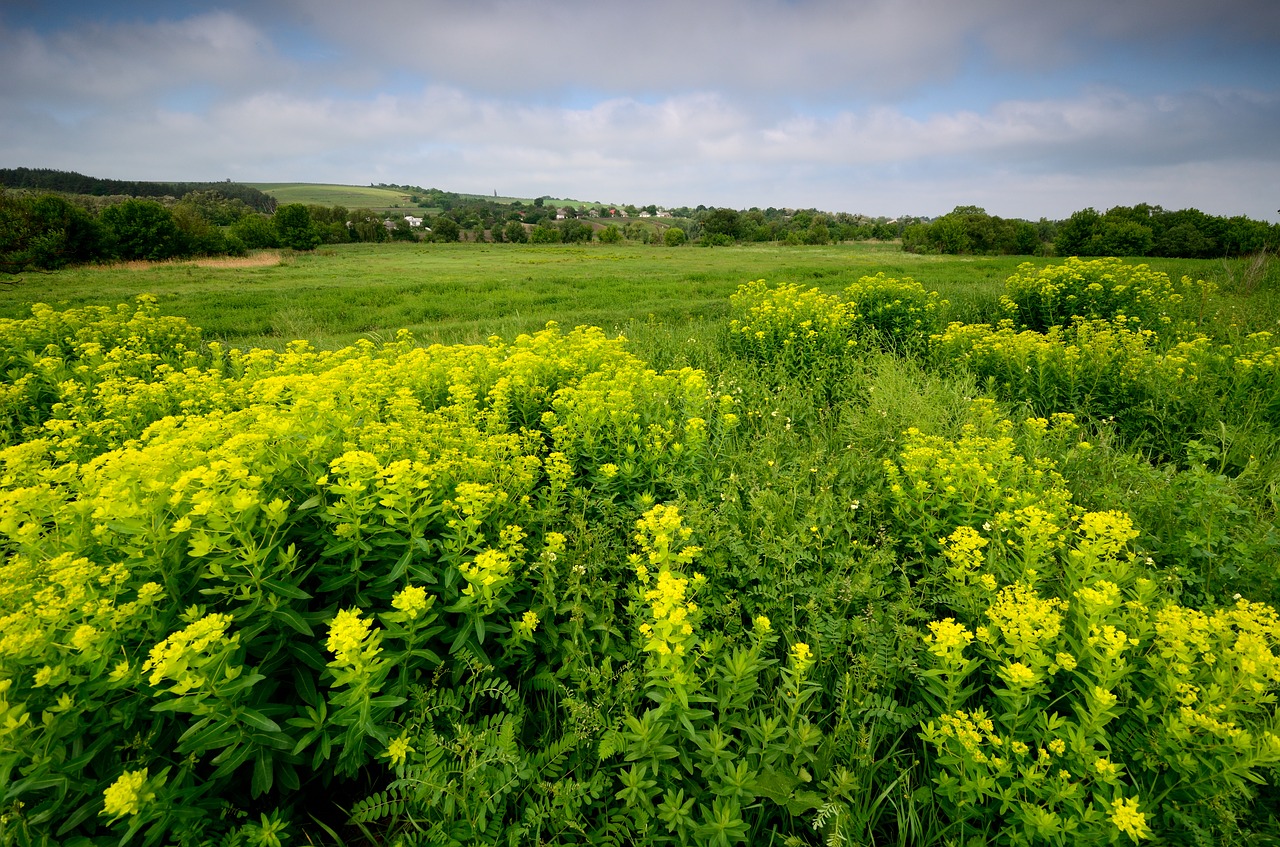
point(1026, 108)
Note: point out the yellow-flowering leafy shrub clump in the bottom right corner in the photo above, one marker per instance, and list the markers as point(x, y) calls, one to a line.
point(1103, 713)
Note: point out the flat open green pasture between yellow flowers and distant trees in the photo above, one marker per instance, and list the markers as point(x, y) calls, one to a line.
point(468, 292)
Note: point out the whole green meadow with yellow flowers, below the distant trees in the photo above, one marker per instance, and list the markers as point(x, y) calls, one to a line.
point(803, 546)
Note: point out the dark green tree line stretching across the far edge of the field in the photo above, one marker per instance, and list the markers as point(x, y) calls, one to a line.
point(49, 231)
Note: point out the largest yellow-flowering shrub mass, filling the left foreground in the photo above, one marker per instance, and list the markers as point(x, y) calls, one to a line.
point(225, 579)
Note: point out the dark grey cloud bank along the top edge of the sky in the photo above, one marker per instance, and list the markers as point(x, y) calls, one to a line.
point(803, 49)
